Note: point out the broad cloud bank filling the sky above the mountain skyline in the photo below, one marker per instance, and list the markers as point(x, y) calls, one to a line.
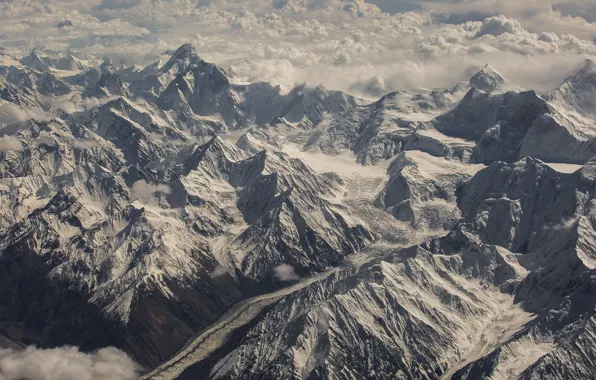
point(367, 48)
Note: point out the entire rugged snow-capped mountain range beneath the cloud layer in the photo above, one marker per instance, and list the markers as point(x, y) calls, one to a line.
point(214, 229)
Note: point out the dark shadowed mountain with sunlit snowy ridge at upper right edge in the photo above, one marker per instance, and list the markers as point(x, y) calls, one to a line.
point(514, 125)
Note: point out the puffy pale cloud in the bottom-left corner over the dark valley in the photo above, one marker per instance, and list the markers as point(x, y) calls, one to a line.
point(66, 363)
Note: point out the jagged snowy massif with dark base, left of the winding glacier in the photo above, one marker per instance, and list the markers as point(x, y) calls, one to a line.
point(143, 229)
